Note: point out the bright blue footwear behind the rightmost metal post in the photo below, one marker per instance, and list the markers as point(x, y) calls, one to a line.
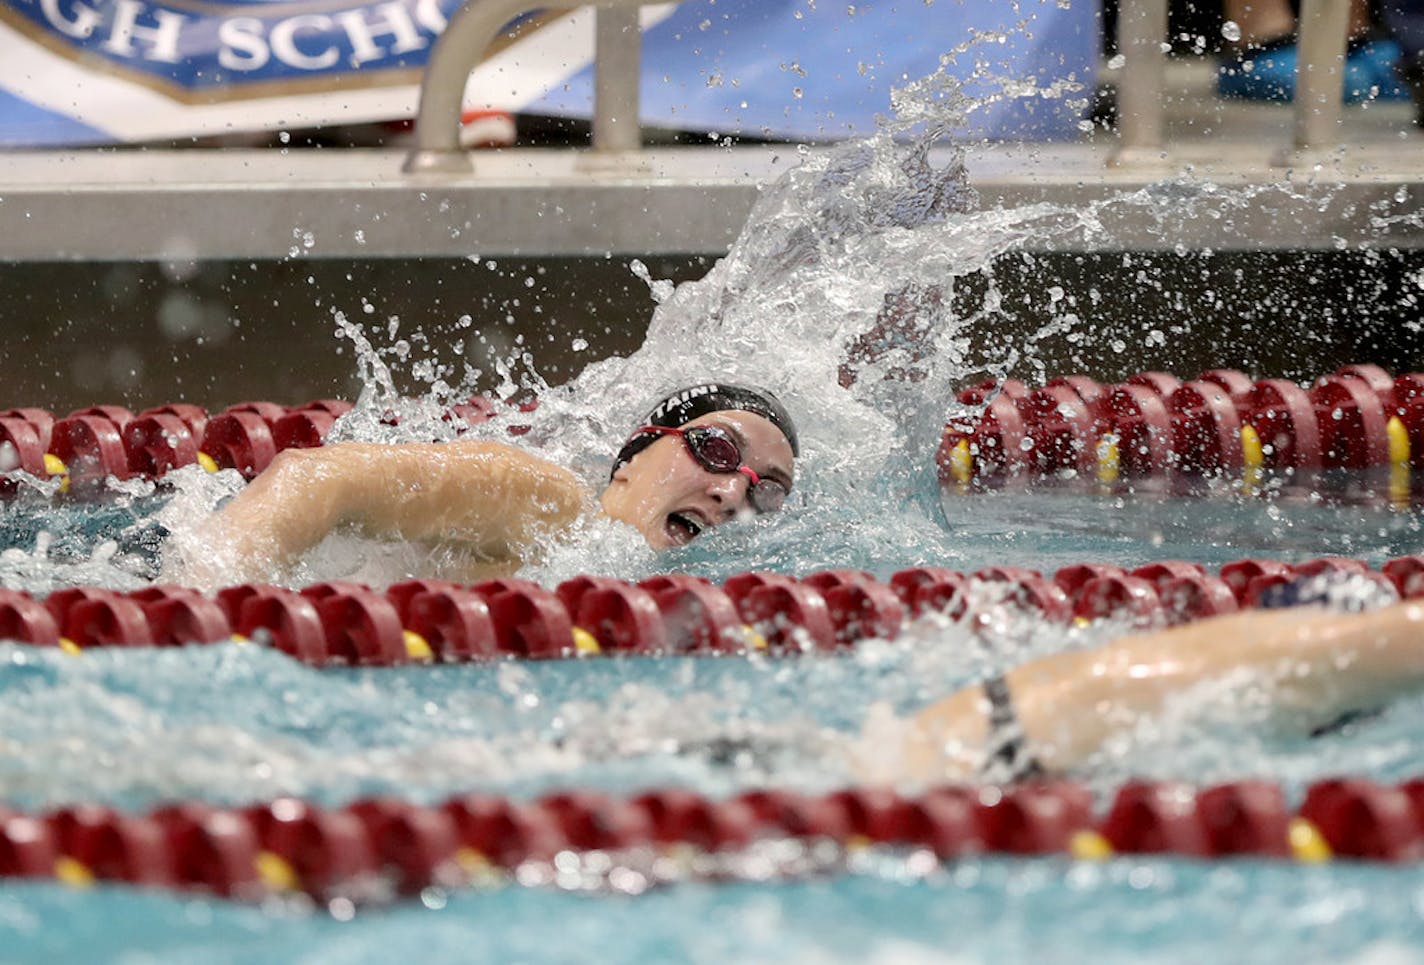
point(1268, 73)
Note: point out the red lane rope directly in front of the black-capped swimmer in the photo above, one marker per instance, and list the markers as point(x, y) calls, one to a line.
point(828, 611)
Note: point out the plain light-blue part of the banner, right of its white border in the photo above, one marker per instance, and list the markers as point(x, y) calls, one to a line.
point(791, 69)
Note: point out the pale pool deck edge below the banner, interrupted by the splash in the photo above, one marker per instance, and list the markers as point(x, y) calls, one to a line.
point(357, 203)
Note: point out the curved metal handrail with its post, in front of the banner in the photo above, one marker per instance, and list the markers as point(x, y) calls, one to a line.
point(617, 66)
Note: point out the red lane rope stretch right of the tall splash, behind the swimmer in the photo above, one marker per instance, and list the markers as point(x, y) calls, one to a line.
point(1156, 423)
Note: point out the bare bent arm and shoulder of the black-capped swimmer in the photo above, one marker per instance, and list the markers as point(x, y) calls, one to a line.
point(492, 497)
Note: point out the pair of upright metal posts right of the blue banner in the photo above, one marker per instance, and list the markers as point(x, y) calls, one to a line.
point(1143, 28)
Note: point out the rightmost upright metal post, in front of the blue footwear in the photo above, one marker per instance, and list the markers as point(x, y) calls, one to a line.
point(1319, 70)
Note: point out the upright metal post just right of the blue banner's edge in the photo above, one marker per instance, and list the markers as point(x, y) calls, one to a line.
point(1141, 36)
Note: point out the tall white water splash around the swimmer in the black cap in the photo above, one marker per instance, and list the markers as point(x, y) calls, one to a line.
point(864, 291)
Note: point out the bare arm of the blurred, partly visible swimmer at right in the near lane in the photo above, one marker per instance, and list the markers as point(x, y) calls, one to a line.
point(1314, 665)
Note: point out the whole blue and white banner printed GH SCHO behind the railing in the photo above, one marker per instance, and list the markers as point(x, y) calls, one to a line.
point(85, 72)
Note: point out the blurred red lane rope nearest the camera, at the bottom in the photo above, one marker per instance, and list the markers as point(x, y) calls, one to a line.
point(384, 848)
